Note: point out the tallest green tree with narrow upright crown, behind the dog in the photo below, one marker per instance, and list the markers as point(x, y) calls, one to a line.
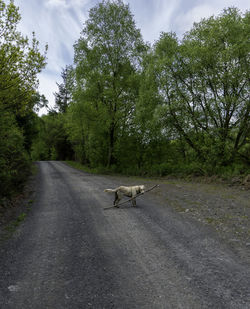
point(107, 57)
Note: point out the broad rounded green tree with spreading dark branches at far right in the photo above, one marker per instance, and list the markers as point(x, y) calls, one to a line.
point(203, 85)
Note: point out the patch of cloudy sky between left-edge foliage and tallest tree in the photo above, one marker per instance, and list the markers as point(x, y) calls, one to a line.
point(58, 23)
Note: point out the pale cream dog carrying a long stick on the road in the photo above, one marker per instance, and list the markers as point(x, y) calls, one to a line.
point(127, 191)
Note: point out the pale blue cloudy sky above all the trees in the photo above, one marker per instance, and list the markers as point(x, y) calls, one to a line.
point(59, 23)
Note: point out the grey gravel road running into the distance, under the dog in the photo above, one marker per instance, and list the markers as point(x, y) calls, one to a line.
point(70, 253)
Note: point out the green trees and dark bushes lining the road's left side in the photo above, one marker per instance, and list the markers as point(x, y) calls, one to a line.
point(20, 62)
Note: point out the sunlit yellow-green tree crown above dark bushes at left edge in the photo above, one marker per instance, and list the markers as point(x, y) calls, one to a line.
point(20, 62)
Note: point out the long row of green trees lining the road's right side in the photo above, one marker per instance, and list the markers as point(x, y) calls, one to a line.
point(179, 106)
